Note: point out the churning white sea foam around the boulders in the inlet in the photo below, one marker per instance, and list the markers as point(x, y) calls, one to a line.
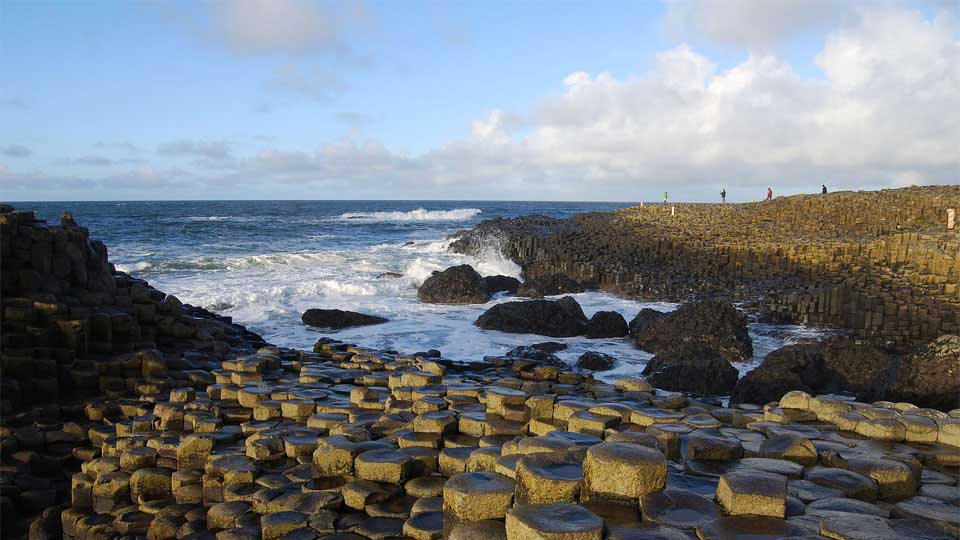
point(273, 290)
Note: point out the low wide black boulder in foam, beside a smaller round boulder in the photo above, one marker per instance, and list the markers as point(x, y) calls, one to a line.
point(554, 318)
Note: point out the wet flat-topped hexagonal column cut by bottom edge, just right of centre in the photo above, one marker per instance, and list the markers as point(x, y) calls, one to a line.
point(553, 522)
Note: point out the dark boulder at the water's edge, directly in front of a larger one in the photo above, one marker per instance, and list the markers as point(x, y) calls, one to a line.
point(692, 367)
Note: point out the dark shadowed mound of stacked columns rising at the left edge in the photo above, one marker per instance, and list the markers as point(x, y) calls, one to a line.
point(72, 327)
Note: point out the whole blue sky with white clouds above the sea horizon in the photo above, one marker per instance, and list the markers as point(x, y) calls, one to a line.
point(522, 100)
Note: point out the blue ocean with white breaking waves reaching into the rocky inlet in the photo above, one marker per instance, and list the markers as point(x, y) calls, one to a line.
point(265, 262)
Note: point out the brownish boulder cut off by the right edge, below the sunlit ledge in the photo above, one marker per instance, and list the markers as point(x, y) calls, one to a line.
point(930, 377)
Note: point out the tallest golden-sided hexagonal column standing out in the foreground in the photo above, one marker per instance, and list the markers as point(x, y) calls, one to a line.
point(622, 472)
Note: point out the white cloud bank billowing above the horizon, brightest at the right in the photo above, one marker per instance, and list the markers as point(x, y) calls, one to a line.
point(882, 113)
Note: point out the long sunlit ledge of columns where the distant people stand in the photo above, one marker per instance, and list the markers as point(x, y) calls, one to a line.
point(880, 264)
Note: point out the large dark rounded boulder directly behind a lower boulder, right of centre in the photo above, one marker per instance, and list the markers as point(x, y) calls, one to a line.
point(716, 324)
